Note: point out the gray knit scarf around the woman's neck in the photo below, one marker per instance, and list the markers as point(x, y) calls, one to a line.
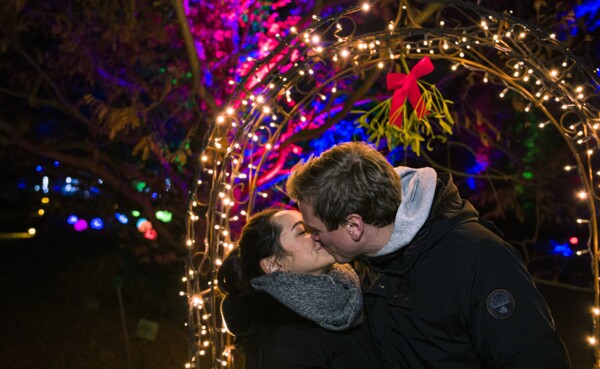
point(332, 300)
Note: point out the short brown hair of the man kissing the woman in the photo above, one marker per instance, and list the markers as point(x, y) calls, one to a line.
point(349, 178)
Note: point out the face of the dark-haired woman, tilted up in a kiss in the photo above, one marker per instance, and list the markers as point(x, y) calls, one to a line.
point(305, 255)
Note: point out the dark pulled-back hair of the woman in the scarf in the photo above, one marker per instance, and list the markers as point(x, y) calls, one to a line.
point(260, 239)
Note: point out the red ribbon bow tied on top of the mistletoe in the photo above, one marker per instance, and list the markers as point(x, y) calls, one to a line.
point(405, 85)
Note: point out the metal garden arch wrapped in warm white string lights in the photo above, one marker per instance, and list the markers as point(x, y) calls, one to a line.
point(317, 76)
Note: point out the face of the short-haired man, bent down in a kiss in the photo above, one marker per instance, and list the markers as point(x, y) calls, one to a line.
point(338, 242)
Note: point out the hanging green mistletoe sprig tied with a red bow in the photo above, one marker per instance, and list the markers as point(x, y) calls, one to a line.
point(394, 120)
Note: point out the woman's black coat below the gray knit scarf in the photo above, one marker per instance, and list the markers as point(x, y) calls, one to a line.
point(273, 336)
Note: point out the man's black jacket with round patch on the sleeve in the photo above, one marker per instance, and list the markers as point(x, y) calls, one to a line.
point(459, 297)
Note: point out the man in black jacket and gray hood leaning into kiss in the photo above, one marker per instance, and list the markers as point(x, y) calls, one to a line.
point(445, 291)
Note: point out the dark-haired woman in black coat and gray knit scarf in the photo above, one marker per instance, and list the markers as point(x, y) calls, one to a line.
point(288, 304)
